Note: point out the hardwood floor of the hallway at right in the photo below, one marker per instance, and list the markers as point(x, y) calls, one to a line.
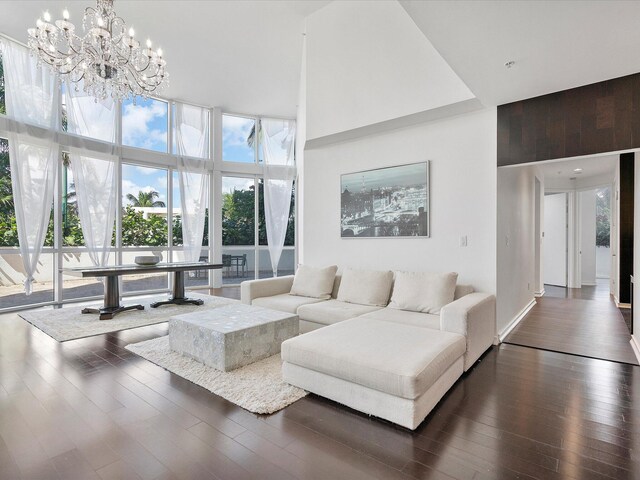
point(580, 321)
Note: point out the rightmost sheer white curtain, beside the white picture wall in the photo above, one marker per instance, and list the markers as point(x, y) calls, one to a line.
point(278, 140)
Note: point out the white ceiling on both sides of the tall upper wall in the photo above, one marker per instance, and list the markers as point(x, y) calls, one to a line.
point(245, 56)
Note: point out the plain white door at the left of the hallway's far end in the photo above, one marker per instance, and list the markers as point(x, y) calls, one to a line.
point(555, 239)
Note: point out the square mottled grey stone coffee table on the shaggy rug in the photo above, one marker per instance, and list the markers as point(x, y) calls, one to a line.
point(232, 336)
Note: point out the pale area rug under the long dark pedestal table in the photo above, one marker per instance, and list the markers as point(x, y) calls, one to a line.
point(69, 323)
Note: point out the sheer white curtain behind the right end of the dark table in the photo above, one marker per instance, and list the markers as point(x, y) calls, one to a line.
point(192, 139)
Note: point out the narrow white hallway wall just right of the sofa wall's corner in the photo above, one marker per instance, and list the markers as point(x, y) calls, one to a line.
point(516, 265)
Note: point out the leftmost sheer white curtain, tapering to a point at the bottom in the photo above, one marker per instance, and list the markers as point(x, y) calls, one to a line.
point(31, 96)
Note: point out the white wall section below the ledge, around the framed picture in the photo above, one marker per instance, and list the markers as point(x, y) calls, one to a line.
point(462, 199)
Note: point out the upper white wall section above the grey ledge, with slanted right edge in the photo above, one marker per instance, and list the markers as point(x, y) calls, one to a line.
point(367, 62)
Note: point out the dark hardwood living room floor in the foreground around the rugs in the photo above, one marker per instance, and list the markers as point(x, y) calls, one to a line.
point(89, 409)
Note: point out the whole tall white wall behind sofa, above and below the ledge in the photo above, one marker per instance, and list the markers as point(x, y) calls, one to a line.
point(368, 63)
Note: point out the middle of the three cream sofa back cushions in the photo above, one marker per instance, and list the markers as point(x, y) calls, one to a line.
point(365, 287)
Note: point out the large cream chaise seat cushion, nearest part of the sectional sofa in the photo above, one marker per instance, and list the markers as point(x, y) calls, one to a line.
point(400, 360)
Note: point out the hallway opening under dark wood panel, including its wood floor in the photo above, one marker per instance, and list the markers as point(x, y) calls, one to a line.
point(576, 311)
